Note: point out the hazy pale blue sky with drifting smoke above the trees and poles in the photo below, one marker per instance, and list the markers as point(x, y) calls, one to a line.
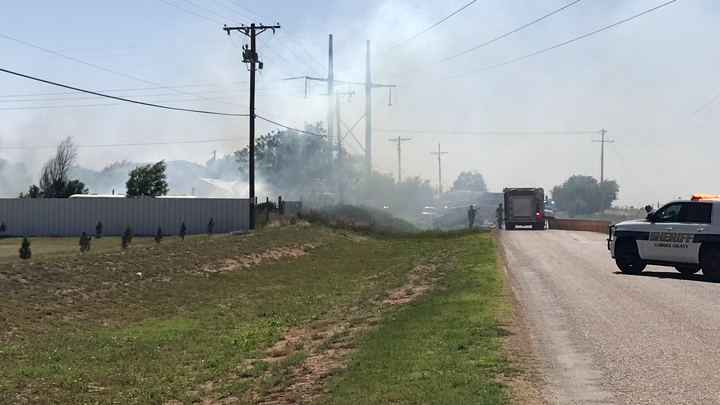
point(650, 82)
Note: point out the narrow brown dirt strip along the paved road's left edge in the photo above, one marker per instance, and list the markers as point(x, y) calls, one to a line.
point(525, 388)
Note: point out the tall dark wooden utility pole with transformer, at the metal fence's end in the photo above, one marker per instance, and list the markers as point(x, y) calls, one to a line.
point(250, 57)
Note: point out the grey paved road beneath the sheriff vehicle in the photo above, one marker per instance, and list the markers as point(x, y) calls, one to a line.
point(609, 338)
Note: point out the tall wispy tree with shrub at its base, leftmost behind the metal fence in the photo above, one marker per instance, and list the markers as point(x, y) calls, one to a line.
point(55, 175)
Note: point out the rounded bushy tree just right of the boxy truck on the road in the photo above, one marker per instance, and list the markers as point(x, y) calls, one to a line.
point(581, 195)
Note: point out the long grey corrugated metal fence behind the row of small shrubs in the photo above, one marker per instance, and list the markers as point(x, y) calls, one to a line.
point(72, 216)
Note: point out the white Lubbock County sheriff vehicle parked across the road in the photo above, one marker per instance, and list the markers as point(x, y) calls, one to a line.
point(684, 234)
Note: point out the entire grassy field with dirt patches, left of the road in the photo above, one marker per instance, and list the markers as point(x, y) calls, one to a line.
point(290, 313)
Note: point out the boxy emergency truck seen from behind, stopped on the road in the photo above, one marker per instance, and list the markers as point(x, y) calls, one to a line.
point(524, 206)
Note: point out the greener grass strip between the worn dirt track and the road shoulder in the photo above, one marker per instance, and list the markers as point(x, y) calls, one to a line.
point(444, 349)
